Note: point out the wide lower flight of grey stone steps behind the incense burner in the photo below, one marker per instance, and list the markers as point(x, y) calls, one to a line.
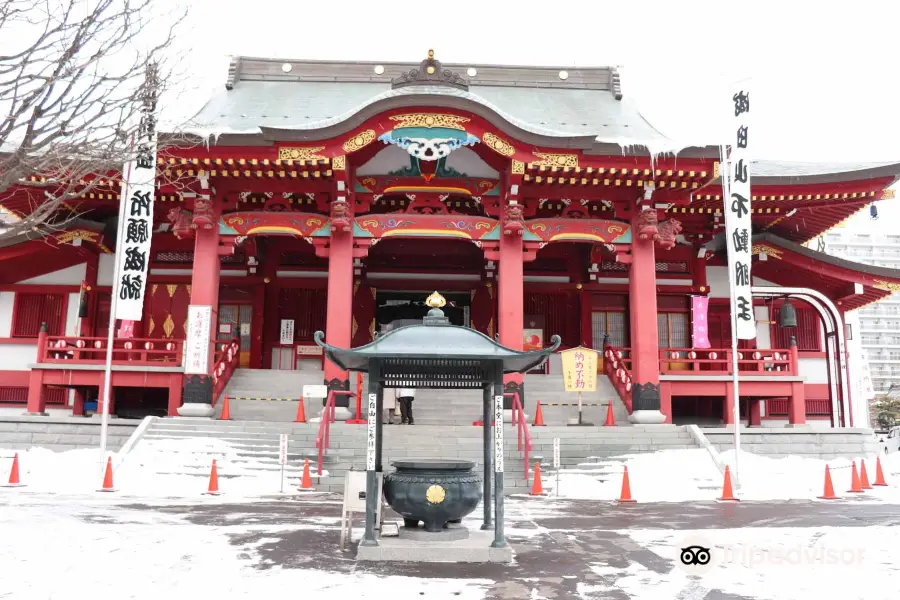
point(252, 446)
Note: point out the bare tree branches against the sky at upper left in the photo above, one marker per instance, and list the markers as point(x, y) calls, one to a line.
point(71, 86)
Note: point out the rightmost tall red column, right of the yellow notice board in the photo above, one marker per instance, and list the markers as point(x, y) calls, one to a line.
point(645, 396)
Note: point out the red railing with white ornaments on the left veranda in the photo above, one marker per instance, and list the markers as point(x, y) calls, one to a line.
point(92, 350)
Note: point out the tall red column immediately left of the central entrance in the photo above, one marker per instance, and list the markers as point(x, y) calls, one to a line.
point(338, 320)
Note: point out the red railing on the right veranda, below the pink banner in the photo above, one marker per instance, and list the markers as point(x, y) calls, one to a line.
point(764, 362)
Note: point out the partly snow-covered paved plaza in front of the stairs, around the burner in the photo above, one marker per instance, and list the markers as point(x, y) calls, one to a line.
point(563, 550)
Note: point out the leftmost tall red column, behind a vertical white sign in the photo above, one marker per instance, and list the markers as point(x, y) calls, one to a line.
point(198, 389)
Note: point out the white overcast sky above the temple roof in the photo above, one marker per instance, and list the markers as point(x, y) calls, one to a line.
point(823, 74)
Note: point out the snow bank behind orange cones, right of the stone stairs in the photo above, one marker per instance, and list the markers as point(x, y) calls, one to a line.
point(690, 474)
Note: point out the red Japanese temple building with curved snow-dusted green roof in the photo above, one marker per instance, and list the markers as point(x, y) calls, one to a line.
point(336, 196)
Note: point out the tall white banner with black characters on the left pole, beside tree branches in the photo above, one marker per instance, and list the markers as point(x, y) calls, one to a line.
point(136, 216)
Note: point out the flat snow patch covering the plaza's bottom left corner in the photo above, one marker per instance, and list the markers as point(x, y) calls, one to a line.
point(143, 555)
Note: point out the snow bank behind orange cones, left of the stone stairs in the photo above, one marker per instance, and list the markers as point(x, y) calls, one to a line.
point(158, 468)
